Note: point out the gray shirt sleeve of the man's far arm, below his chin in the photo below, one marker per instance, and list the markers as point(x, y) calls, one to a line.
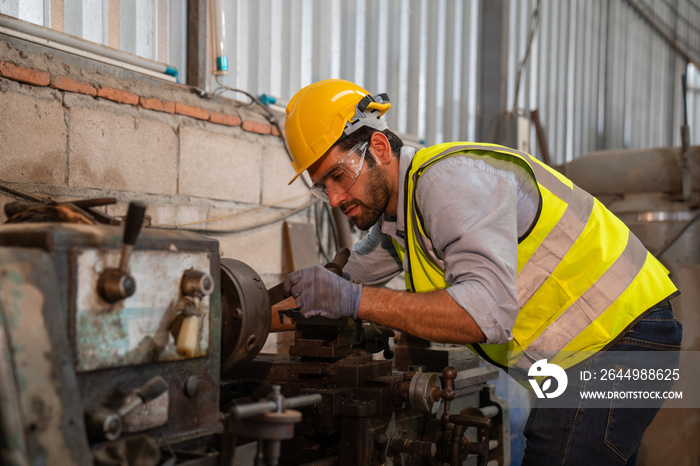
point(373, 260)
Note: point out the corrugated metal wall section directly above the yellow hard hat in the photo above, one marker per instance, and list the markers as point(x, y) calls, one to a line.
point(422, 53)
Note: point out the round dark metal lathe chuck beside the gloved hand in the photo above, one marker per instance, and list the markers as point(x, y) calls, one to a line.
point(245, 309)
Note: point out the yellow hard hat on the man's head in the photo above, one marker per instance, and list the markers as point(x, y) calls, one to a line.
point(319, 114)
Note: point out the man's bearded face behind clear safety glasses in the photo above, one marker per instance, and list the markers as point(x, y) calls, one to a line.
point(366, 200)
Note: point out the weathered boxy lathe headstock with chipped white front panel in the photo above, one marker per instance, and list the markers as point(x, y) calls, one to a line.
point(83, 352)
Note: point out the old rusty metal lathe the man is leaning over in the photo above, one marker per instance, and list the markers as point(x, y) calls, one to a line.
point(121, 347)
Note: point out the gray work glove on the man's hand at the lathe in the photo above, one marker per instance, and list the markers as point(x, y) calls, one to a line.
point(318, 291)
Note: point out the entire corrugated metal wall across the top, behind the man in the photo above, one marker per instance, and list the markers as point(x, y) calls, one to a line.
point(600, 76)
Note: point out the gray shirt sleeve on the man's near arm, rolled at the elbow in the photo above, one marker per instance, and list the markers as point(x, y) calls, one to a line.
point(469, 210)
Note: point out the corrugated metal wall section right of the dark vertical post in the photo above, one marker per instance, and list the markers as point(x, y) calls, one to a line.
point(601, 77)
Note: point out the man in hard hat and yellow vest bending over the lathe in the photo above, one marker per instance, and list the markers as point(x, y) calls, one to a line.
point(500, 252)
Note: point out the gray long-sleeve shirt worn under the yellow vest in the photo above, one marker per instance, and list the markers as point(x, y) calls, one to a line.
point(474, 209)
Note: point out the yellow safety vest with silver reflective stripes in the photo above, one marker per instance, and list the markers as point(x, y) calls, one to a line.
point(582, 276)
